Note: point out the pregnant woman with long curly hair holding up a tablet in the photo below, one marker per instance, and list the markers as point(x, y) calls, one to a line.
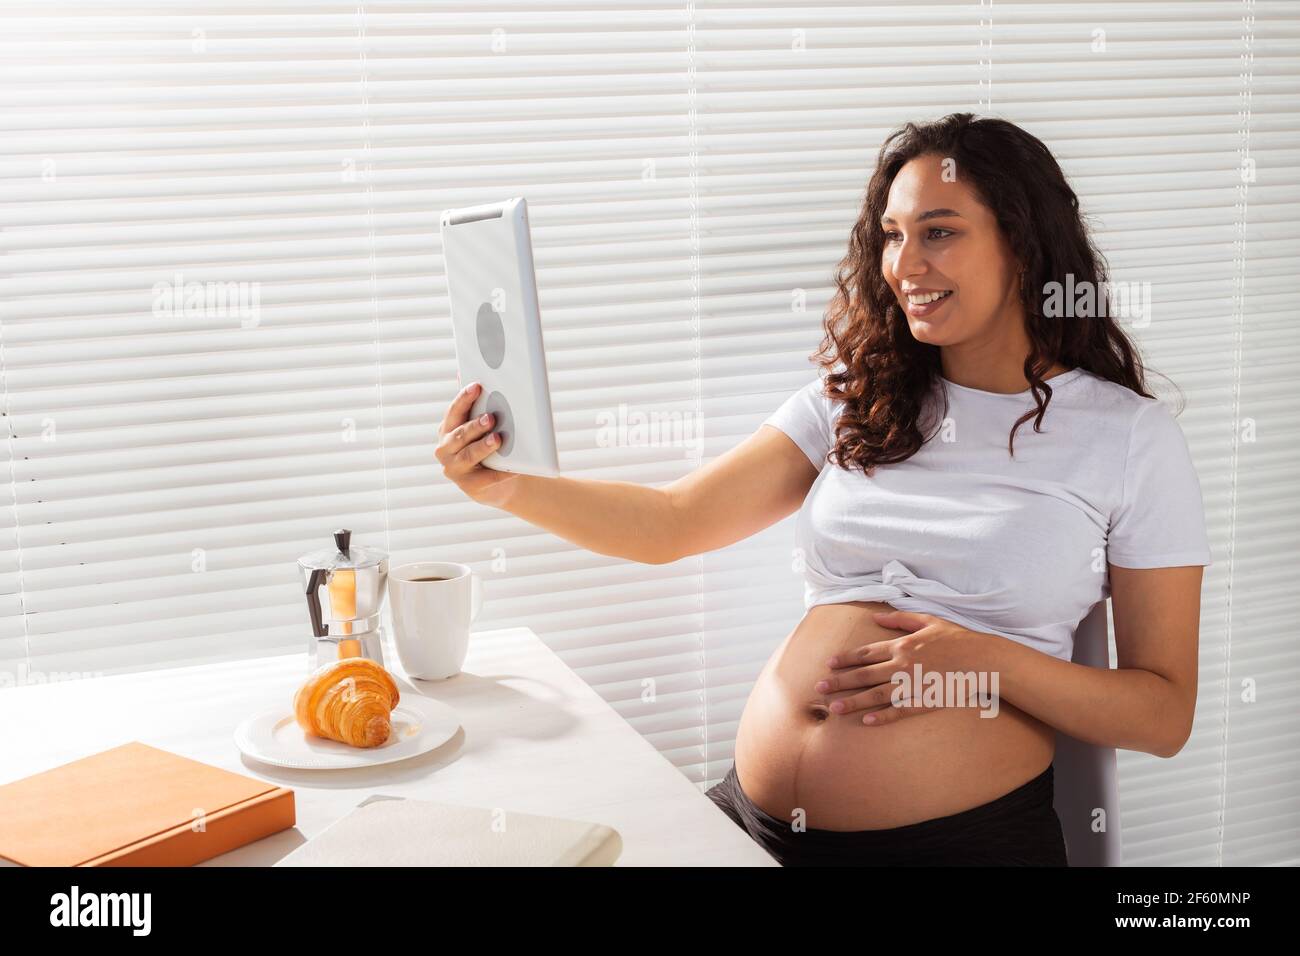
point(978, 465)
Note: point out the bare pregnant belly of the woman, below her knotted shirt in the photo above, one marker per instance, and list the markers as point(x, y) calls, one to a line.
point(794, 754)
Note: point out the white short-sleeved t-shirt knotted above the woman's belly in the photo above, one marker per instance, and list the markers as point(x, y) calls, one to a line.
point(1012, 547)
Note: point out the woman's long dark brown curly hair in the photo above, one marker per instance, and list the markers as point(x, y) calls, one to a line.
point(887, 373)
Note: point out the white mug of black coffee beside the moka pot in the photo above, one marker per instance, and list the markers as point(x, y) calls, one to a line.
point(431, 618)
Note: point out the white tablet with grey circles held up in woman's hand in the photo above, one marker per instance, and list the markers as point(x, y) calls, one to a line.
point(499, 331)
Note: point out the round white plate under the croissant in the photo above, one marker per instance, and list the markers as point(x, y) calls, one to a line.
point(274, 737)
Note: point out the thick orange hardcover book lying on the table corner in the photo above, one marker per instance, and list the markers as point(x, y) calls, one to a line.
point(137, 806)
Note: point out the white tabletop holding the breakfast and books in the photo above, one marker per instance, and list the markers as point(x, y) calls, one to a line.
point(535, 738)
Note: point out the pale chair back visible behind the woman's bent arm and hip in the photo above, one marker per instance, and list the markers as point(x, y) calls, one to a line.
point(1085, 775)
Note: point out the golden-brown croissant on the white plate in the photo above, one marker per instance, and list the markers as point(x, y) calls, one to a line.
point(349, 702)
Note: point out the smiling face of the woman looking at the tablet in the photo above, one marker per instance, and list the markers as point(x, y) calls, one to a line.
point(938, 237)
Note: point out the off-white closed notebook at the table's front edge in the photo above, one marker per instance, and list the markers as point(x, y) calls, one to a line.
point(396, 832)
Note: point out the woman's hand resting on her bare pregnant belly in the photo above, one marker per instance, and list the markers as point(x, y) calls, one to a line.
point(925, 669)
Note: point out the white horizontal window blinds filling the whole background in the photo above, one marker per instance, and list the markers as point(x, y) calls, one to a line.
point(224, 327)
